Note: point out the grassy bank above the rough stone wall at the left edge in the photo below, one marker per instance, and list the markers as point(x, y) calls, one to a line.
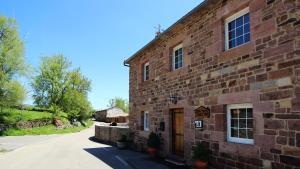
point(12, 116)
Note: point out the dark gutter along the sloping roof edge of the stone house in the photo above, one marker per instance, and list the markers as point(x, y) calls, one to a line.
point(201, 5)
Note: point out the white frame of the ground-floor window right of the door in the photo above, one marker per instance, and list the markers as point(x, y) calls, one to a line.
point(235, 139)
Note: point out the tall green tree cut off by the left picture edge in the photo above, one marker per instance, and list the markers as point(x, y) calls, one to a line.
point(11, 63)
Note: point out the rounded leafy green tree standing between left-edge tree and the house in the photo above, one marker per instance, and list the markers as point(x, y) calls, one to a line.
point(57, 85)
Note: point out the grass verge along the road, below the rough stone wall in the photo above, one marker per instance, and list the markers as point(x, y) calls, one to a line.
point(45, 130)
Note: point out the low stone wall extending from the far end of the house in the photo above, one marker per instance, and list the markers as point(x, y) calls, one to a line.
point(110, 134)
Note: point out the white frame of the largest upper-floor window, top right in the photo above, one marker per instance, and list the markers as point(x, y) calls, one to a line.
point(228, 20)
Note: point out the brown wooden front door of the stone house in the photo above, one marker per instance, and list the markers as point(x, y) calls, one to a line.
point(178, 130)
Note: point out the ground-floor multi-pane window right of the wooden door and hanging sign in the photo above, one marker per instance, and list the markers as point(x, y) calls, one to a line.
point(240, 123)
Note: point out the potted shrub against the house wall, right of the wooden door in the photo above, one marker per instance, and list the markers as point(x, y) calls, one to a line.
point(200, 156)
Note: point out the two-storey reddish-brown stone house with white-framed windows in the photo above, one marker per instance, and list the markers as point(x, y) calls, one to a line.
point(239, 60)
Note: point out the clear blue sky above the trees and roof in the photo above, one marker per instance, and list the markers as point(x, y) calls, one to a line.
point(96, 35)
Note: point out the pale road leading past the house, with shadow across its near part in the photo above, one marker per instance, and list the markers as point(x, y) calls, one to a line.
point(69, 151)
